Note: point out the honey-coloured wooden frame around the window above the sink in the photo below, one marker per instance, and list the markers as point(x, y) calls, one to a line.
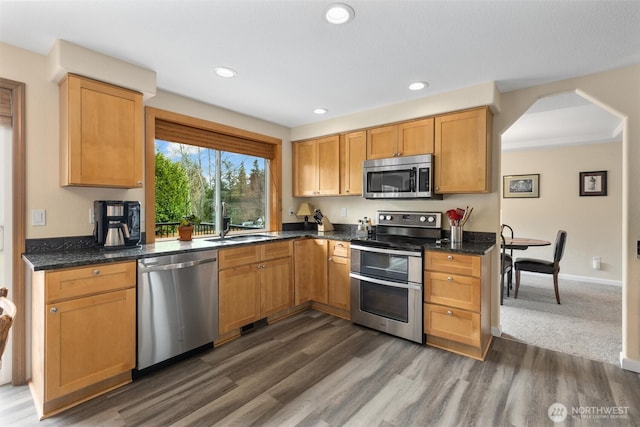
point(274, 169)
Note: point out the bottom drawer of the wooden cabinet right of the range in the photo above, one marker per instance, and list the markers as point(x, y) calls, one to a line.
point(453, 324)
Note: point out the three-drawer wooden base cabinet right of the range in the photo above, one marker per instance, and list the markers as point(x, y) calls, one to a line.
point(457, 302)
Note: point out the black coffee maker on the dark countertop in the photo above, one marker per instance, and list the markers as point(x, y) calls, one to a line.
point(117, 224)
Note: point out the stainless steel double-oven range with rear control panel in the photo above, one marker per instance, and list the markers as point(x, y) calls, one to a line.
point(386, 273)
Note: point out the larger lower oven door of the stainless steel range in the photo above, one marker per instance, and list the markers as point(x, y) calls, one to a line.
point(391, 307)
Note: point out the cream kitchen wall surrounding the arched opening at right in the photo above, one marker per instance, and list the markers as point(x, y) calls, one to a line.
point(618, 92)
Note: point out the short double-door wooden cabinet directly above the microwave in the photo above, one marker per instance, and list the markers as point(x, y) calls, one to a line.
point(403, 139)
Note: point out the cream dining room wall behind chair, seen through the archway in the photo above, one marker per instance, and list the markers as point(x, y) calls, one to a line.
point(593, 224)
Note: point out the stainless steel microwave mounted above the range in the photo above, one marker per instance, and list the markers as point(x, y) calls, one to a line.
point(408, 177)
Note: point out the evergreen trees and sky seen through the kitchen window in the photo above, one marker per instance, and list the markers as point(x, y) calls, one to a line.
point(186, 182)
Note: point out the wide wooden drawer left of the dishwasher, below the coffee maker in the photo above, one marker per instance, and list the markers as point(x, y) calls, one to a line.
point(77, 282)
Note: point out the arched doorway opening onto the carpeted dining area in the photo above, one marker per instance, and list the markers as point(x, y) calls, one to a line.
point(558, 137)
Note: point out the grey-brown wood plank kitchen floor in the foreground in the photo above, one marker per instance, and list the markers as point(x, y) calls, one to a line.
point(317, 370)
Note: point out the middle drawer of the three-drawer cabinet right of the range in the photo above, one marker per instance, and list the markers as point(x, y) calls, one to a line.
point(453, 290)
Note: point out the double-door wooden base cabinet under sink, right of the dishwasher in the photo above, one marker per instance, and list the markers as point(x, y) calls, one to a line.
point(254, 281)
